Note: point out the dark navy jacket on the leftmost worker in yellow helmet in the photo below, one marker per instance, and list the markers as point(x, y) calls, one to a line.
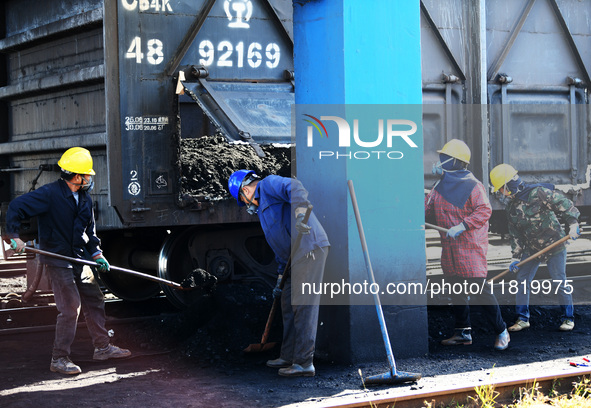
point(65, 228)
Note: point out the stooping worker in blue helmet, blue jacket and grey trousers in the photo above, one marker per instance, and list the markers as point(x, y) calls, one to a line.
point(279, 203)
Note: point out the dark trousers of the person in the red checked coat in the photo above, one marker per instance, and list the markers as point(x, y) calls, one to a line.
point(461, 300)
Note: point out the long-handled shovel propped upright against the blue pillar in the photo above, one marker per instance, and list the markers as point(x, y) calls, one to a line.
point(392, 376)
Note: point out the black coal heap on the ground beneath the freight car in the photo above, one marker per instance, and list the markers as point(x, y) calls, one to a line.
point(215, 329)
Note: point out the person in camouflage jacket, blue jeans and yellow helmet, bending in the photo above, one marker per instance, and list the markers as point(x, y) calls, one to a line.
point(533, 212)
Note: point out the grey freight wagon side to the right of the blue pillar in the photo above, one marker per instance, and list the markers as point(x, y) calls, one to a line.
point(511, 79)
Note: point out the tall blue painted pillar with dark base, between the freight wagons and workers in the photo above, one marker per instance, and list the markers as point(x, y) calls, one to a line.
point(362, 60)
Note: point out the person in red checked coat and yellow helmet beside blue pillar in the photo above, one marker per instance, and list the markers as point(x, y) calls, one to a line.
point(459, 203)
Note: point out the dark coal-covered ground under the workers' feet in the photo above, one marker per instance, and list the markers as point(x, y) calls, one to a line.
point(181, 359)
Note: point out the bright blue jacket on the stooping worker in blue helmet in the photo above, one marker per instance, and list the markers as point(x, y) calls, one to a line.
point(278, 197)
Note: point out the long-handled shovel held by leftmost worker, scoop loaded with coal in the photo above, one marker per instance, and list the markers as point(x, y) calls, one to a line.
point(189, 283)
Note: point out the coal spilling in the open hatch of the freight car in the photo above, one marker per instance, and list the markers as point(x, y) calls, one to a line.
point(208, 162)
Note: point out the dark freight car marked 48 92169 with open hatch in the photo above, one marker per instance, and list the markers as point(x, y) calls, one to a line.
point(170, 96)
